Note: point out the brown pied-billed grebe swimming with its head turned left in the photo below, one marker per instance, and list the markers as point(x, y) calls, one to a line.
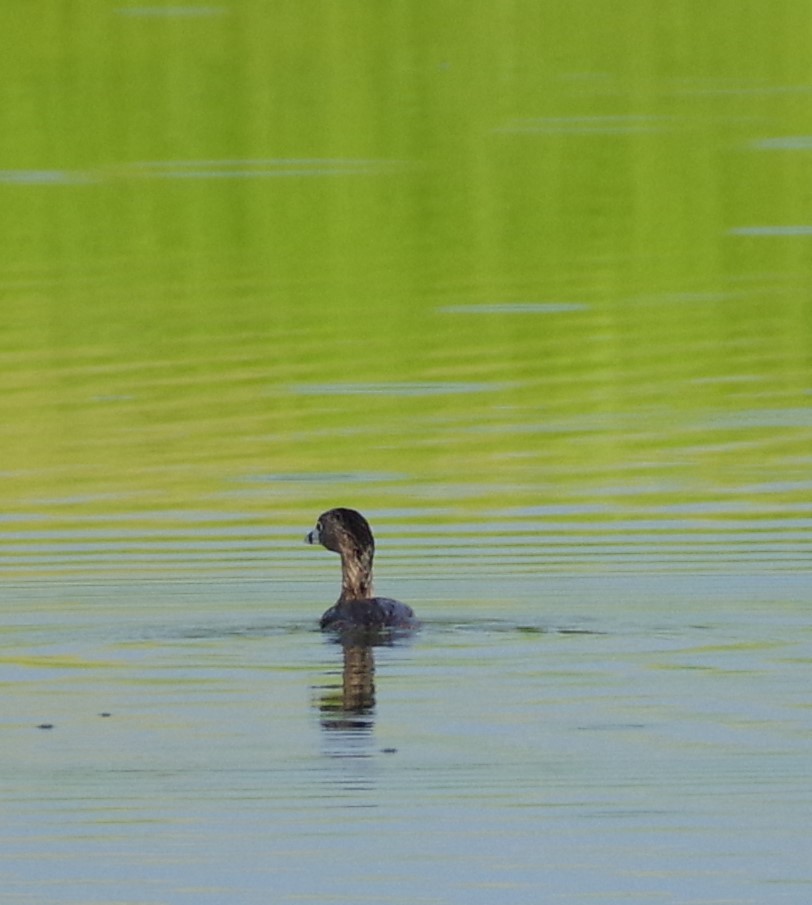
point(347, 532)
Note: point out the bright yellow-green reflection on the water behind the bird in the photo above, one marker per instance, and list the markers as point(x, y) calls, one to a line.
point(447, 264)
